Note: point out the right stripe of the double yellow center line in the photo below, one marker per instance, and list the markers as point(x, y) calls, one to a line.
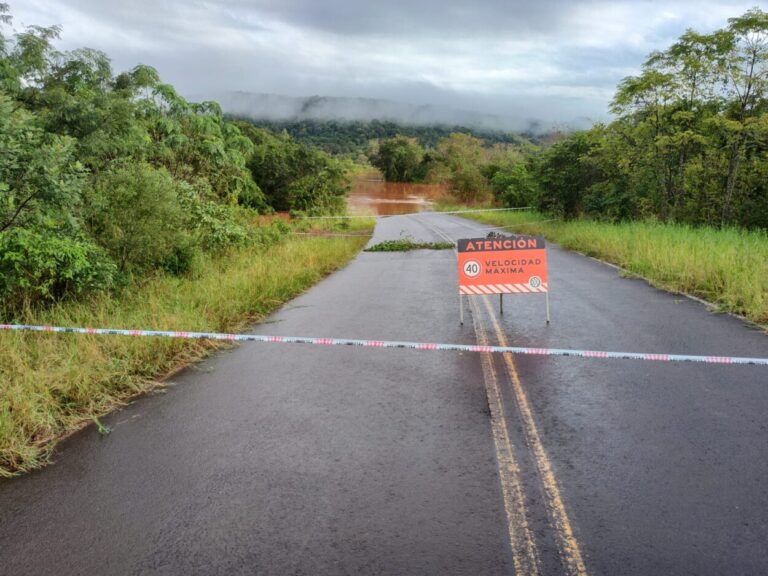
point(569, 546)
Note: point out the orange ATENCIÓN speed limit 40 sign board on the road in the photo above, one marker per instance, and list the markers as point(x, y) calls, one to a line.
point(514, 265)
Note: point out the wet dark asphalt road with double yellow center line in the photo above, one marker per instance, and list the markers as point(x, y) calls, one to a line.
point(271, 459)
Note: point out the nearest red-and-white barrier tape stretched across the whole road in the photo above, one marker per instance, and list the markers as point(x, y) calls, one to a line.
point(393, 344)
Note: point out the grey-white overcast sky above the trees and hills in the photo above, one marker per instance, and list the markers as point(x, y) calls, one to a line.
point(556, 60)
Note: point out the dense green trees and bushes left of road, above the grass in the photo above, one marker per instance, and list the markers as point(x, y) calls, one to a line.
point(105, 178)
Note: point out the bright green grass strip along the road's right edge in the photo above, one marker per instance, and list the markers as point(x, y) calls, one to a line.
point(727, 267)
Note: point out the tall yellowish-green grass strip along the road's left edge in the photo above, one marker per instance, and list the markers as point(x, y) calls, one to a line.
point(51, 384)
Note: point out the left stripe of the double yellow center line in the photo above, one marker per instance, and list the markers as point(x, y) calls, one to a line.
point(524, 551)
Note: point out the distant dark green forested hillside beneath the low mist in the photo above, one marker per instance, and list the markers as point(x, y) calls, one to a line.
point(353, 139)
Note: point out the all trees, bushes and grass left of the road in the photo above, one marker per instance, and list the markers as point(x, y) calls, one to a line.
point(124, 205)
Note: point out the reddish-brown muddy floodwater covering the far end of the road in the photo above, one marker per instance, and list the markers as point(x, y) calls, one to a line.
point(370, 194)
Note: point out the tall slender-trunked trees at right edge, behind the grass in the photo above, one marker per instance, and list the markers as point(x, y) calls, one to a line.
point(695, 121)
